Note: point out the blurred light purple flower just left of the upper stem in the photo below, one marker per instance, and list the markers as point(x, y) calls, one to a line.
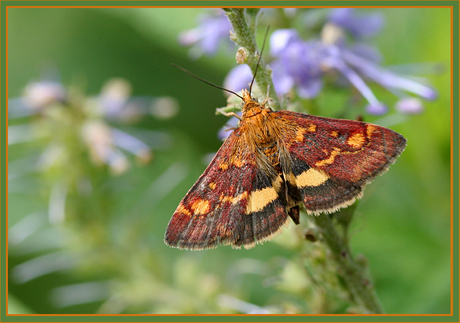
point(214, 29)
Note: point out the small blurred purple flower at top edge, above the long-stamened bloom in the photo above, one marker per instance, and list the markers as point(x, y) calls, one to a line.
point(359, 26)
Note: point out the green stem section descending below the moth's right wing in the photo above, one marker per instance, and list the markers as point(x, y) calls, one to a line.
point(359, 286)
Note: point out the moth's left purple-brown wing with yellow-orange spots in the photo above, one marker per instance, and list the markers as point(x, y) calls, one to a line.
point(232, 202)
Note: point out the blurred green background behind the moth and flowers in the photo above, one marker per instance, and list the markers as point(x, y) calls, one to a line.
point(122, 266)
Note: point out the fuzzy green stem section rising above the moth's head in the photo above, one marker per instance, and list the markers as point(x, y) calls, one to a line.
point(244, 36)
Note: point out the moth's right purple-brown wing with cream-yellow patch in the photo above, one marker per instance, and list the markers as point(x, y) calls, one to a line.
point(333, 159)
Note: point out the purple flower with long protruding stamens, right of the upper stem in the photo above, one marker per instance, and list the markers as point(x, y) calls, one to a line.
point(302, 64)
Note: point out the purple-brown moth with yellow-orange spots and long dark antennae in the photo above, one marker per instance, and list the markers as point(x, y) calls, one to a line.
point(273, 163)
